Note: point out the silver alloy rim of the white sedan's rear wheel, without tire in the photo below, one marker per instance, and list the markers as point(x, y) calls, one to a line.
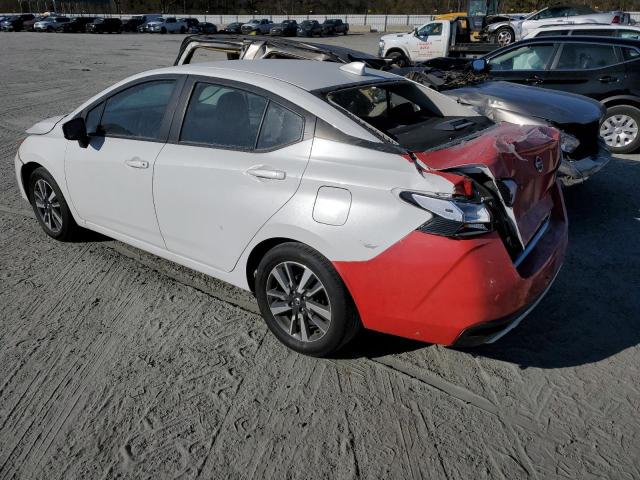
point(298, 301)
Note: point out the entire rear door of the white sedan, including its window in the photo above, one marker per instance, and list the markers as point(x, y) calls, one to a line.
point(236, 155)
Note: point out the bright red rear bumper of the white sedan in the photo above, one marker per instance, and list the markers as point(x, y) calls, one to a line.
point(431, 288)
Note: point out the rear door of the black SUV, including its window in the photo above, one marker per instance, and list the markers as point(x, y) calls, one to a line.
point(593, 70)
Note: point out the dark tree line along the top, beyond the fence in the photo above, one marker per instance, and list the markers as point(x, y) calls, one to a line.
point(285, 7)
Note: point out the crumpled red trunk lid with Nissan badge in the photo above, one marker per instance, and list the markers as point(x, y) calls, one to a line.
point(528, 155)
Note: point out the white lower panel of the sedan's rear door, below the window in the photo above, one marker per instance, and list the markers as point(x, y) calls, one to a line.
point(200, 221)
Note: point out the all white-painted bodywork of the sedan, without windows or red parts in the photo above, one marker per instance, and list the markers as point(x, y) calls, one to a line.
point(210, 212)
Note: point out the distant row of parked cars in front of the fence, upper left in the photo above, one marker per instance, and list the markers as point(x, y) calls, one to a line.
point(157, 23)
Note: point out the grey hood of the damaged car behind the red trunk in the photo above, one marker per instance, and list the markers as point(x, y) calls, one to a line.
point(549, 105)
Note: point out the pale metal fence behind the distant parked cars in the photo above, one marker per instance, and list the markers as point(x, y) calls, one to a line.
point(379, 23)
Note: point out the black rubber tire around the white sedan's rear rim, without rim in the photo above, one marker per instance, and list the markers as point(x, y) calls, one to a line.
point(342, 310)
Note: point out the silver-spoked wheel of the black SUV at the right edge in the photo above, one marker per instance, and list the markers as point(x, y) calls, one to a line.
point(620, 129)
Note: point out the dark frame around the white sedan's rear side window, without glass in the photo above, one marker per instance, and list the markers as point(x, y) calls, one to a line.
point(189, 86)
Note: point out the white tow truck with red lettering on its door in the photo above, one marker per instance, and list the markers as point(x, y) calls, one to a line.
point(438, 38)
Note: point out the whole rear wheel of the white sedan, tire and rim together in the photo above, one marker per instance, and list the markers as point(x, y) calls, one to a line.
point(324, 334)
